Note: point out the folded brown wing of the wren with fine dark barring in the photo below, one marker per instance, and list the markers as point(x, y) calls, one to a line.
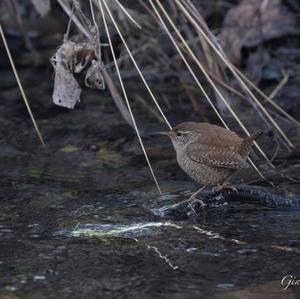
point(222, 157)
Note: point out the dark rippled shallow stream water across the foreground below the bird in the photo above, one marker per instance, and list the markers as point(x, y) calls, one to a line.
point(85, 244)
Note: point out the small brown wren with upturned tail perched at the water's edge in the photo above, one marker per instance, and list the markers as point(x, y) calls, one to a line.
point(208, 153)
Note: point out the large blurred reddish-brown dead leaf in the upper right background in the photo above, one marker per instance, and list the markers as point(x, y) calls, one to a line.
point(253, 22)
